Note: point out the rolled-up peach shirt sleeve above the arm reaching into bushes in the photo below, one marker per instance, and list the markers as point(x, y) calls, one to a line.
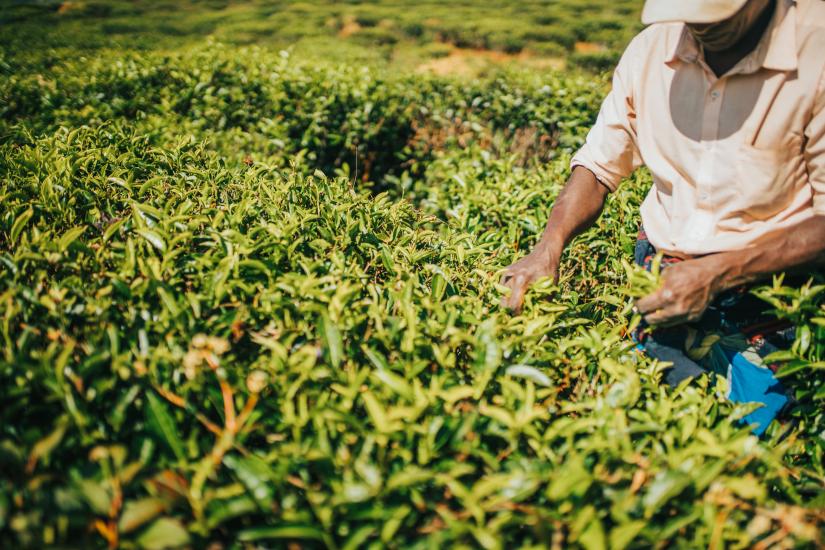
point(611, 151)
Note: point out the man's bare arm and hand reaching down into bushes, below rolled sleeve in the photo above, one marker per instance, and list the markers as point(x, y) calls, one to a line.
point(576, 209)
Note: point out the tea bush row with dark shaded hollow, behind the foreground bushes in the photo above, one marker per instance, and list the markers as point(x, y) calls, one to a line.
point(332, 115)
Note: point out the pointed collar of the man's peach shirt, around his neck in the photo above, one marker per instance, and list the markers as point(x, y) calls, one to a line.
point(776, 49)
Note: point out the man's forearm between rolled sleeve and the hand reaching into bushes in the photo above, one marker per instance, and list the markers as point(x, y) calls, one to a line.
point(576, 209)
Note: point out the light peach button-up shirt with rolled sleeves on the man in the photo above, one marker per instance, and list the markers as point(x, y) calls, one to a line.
point(733, 158)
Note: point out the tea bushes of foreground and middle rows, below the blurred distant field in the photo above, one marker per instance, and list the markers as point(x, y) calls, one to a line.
point(250, 302)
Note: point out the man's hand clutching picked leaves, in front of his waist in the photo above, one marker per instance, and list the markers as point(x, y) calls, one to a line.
point(687, 290)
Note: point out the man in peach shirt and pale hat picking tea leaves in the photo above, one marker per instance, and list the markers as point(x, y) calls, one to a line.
point(723, 101)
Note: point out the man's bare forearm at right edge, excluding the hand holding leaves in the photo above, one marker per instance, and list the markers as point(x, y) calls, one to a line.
point(785, 250)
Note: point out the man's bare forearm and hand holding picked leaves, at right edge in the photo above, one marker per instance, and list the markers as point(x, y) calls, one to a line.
point(689, 287)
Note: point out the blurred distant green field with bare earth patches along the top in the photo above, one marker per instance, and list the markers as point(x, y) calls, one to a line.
point(376, 31)
